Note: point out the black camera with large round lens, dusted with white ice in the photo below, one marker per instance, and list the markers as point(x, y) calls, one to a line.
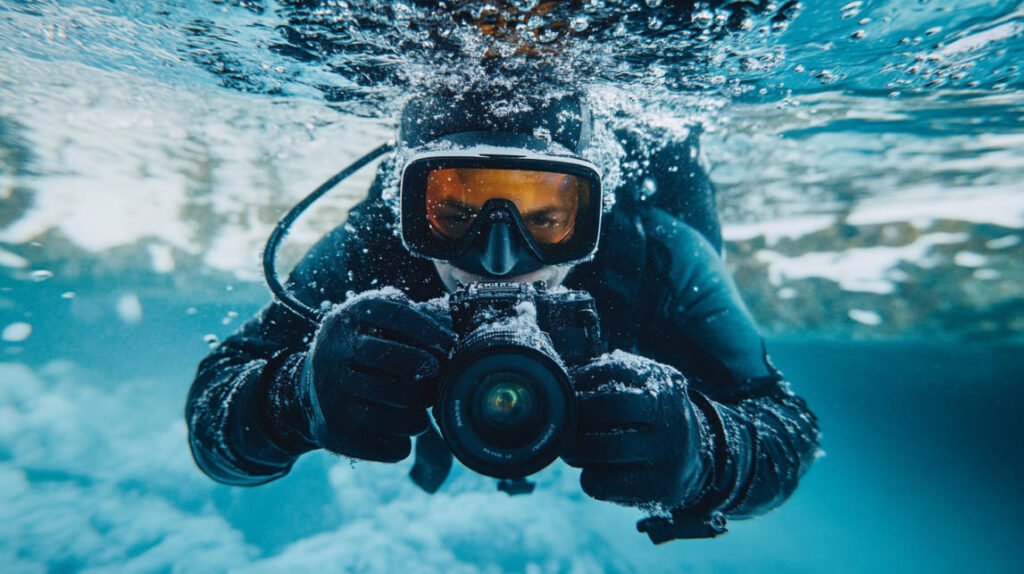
point(506, 406)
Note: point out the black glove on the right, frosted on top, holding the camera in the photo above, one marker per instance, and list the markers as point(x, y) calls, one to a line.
point(639, 441)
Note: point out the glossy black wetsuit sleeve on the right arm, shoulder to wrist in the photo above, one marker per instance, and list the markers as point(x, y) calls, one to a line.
point(765, 436)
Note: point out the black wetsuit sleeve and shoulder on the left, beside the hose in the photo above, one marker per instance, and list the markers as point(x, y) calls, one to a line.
point(247, 425)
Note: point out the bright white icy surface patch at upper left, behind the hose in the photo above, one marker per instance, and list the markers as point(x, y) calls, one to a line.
point(132, 159)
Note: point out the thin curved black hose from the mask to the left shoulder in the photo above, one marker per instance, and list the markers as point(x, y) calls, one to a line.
point(271, 251)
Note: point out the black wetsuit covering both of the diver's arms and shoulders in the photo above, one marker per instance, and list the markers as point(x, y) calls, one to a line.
point(662, 292)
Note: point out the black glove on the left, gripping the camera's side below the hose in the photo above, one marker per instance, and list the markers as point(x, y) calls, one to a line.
point(371, 374)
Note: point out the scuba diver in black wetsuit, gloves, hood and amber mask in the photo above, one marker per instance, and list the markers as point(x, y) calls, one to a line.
point(687, 418)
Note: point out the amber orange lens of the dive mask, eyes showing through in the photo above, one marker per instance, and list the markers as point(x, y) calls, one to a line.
point(548, 202)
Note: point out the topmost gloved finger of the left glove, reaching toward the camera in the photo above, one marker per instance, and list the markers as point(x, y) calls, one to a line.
point(403, 322)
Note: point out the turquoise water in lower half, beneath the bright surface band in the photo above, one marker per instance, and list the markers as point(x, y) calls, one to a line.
point(922, 474)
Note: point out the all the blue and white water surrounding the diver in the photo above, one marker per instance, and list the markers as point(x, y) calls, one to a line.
point(869, 158)
